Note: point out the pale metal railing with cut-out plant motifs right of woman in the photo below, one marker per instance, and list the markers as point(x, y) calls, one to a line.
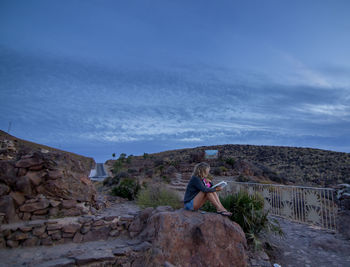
point(311, 205)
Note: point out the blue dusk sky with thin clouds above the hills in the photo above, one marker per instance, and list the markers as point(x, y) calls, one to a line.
point(98, 77)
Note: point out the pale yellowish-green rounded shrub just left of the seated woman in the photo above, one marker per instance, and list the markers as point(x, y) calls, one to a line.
point(156, 195)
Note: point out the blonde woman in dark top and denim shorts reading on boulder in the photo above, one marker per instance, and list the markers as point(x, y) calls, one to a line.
point(197, 193)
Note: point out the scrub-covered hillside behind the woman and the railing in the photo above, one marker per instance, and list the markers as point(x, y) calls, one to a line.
point(267, 164)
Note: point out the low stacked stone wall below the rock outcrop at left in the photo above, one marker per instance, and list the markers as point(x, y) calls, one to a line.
point(65, 230)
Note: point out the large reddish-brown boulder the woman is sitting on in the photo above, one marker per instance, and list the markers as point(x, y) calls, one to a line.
point(185, 238)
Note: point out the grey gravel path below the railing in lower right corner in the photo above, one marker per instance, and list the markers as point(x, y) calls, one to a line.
point(308, 246)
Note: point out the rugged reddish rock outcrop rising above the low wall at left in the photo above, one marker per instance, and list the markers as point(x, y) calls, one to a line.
point(37, 183)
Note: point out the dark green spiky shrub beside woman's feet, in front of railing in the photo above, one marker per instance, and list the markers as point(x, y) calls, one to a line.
point(248, 212)
